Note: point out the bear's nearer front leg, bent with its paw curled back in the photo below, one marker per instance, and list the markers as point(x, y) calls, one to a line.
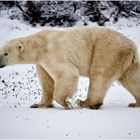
point(65, 87)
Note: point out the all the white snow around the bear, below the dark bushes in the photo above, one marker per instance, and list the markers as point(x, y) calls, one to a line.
point(19, 88)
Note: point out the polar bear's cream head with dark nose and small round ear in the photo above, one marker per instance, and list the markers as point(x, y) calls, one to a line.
point(18, 51)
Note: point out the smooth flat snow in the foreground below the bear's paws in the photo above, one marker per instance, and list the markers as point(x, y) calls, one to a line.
point(78, 123)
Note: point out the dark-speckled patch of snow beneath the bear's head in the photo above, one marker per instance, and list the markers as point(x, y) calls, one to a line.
point(20, 85)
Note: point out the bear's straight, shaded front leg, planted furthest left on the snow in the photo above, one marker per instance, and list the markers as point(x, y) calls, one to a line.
point(47, 88)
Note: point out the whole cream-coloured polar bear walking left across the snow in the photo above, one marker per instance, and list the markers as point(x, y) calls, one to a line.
point(62, 55)
